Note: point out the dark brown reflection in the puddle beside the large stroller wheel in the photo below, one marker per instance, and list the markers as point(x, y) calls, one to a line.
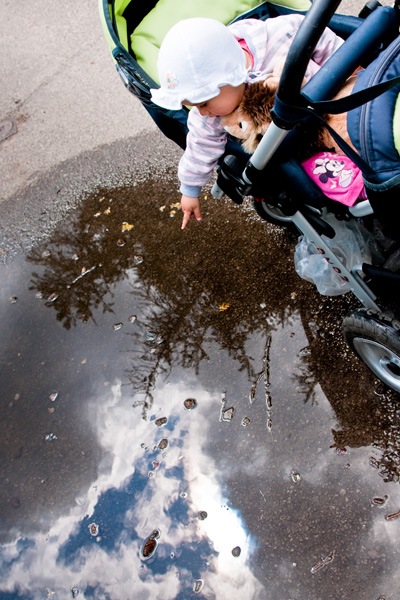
point(368, 413)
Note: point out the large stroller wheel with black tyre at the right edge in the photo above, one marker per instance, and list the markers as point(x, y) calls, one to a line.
point(375, 339)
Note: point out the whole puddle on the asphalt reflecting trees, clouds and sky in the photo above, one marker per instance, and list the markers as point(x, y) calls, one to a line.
point(117, 349)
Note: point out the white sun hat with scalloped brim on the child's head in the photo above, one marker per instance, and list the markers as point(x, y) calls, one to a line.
point(196, 58)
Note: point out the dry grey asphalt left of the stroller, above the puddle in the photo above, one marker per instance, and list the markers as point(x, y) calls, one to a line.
point(77, 126)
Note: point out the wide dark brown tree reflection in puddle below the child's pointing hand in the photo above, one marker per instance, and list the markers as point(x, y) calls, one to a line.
point(186, 278)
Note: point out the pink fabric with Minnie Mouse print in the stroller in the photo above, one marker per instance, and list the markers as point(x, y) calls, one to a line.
point(337, 176)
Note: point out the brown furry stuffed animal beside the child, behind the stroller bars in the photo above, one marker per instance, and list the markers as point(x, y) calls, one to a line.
point(250, 120)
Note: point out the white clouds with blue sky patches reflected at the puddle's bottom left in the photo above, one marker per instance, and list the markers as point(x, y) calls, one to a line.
point(185, 466)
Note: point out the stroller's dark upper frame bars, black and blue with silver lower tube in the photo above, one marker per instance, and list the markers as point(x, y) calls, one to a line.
point(291, 100)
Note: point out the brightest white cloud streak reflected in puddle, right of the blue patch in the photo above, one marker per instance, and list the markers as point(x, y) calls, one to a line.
point(227, 576)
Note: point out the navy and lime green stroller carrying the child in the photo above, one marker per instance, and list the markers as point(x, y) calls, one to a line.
point(281, 190)
